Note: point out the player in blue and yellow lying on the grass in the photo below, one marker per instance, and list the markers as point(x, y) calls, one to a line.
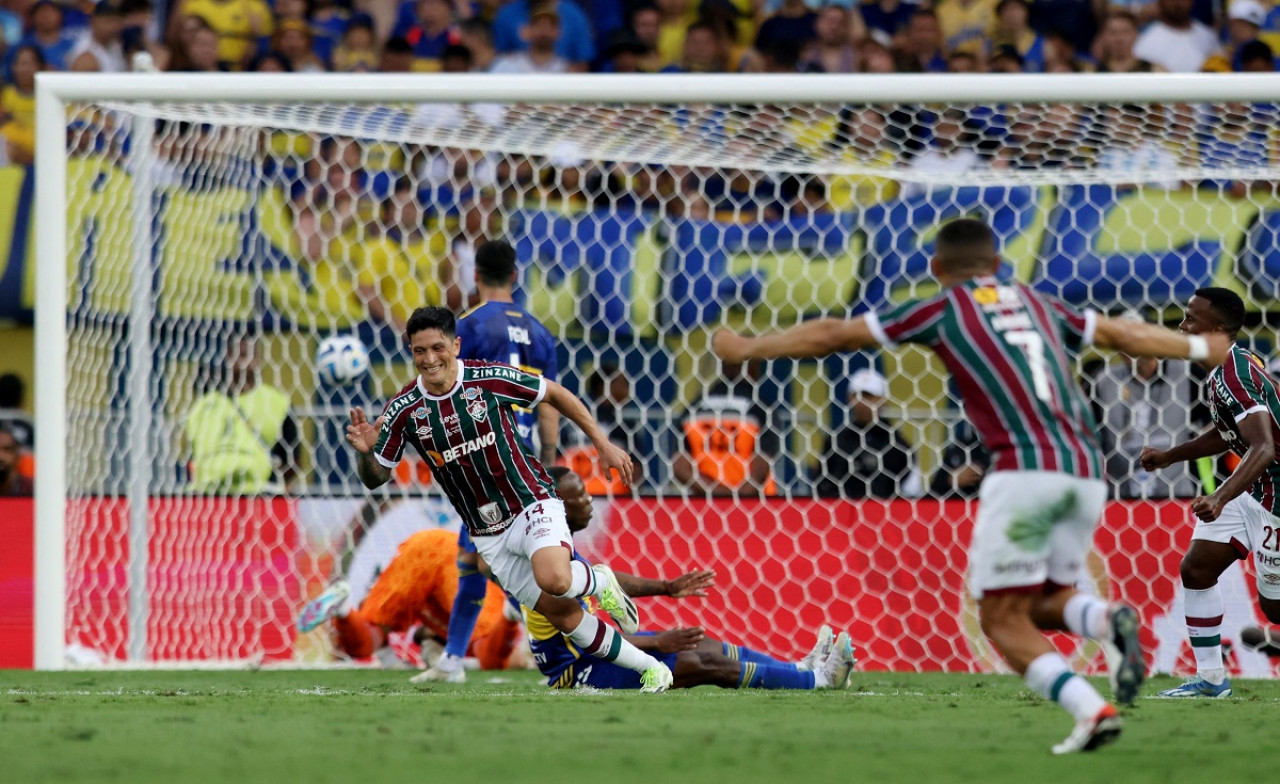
point(694, 658)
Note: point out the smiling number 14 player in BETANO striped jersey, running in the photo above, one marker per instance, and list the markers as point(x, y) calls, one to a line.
point(460, 417)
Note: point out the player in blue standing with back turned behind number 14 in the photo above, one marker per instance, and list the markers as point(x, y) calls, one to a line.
point(497, 331)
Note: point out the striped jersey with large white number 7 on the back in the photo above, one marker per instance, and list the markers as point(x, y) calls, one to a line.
point(1007, 347)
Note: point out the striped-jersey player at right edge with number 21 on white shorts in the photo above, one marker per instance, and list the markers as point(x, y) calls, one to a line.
point(1241, 517)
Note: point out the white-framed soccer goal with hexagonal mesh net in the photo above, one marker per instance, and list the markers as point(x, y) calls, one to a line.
point(214, 234)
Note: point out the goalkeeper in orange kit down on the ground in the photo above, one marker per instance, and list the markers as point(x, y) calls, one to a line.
point(418, 587)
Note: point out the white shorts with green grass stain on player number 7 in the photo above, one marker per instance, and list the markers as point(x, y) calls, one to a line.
point(1034, 527)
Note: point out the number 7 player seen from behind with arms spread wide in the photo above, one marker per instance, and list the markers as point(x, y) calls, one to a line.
point(1007, 345)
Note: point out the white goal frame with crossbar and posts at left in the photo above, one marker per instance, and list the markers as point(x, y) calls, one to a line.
point(173, 95)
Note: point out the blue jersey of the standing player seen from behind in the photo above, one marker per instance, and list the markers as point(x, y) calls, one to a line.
point(504, 332)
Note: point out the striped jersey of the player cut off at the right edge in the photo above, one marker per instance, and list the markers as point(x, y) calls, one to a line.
point(1238, 389)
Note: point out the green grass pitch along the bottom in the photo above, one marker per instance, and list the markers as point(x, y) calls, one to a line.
point(360, 727)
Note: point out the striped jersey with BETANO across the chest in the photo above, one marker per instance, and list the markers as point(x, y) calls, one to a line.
point(470, 440)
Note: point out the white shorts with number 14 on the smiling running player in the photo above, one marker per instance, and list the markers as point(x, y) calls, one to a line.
point(508, 554)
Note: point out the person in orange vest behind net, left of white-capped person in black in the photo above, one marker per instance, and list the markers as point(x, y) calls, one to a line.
point(728, 439)
